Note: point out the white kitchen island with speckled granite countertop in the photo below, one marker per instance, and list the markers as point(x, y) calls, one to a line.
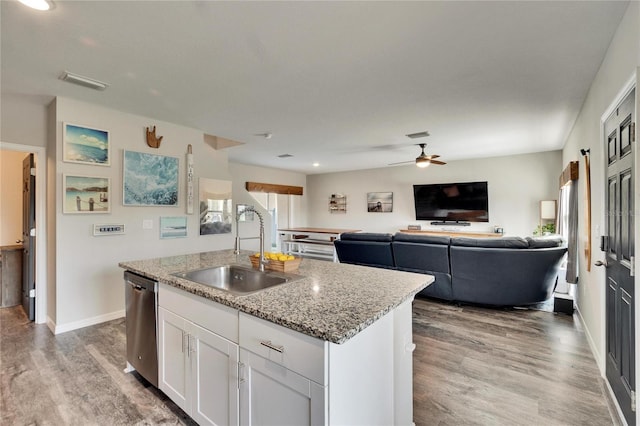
point(333, 347)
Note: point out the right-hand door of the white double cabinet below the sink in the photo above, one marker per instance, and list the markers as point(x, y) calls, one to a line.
point(214, 366)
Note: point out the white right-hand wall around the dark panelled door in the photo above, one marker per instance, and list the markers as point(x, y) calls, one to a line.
point(618, 67)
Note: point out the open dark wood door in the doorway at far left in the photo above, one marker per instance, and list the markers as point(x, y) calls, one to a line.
point(28, 236)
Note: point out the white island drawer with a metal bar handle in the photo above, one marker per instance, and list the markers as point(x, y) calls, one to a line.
point(295, 351)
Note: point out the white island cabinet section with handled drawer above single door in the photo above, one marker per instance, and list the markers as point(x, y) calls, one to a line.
point(282, 375)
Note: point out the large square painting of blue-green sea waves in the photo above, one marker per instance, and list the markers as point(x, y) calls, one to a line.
point(149, 180)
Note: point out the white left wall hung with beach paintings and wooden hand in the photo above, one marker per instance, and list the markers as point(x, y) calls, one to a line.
point(88, 281)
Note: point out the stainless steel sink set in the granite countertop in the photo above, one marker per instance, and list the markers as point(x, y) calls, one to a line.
point(239, 280)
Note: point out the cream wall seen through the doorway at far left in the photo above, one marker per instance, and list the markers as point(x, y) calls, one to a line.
point(10, 196)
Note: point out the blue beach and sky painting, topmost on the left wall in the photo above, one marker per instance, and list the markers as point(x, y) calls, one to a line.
point(86, 145)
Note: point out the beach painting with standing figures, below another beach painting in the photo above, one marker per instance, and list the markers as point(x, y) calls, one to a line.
point(86, 194)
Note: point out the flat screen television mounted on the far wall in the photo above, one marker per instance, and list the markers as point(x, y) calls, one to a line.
point(452, 202)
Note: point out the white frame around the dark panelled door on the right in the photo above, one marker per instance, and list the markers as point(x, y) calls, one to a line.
point(632, 83)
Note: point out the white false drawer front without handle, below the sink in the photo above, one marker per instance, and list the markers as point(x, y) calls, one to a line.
point(219, 319)
